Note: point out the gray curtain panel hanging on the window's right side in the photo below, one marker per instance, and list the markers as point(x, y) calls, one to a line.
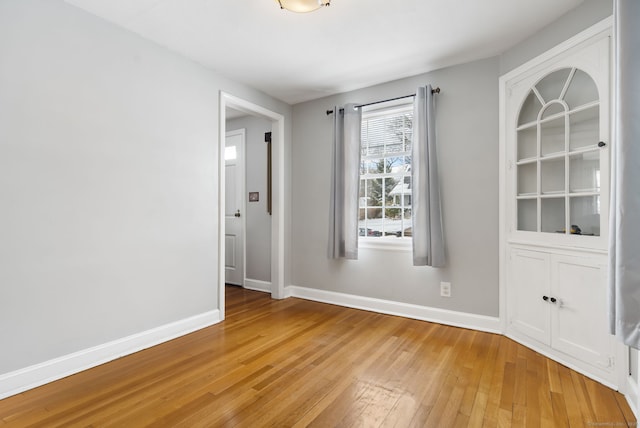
point(426, 215)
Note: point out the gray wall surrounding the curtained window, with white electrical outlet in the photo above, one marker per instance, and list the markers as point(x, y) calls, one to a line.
point(467, 127)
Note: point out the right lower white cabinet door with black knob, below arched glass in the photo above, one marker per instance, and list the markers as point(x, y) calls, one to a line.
point(579, 316)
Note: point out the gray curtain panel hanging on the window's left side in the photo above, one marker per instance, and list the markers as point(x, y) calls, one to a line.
point(345, 182)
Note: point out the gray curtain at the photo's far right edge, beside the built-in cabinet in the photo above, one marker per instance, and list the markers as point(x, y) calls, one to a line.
point(624, 249)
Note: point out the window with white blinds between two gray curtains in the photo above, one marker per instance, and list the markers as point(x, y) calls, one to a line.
point(385, 174)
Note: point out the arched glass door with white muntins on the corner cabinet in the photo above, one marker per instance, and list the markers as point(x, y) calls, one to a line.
point(558, 156)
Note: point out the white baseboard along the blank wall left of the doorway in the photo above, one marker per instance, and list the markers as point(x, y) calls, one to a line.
point(39, 374)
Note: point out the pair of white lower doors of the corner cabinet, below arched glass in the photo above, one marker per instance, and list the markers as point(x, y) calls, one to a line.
point(558, 299)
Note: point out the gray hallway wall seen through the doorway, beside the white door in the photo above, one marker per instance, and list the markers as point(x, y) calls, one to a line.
point(258, 220)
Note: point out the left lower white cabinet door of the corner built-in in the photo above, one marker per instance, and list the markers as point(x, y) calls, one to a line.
point(528, 285)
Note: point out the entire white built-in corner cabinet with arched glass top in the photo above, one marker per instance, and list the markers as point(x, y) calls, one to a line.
point(555, 139)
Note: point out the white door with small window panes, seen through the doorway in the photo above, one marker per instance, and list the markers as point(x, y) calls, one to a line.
point(234, 208)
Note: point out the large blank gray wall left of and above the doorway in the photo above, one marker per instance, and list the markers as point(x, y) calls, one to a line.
point(108, 182)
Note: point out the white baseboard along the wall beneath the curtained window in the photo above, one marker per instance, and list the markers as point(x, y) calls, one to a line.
point(407, 310)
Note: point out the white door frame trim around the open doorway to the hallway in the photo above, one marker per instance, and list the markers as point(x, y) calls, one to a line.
point(278, 194)
